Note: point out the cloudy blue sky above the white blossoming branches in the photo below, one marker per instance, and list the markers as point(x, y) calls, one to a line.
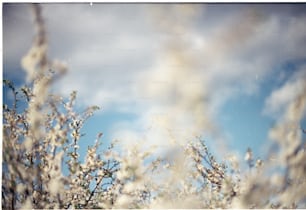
point(224, 71)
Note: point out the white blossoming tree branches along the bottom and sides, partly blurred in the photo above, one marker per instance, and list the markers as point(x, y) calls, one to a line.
point(42, 137)
